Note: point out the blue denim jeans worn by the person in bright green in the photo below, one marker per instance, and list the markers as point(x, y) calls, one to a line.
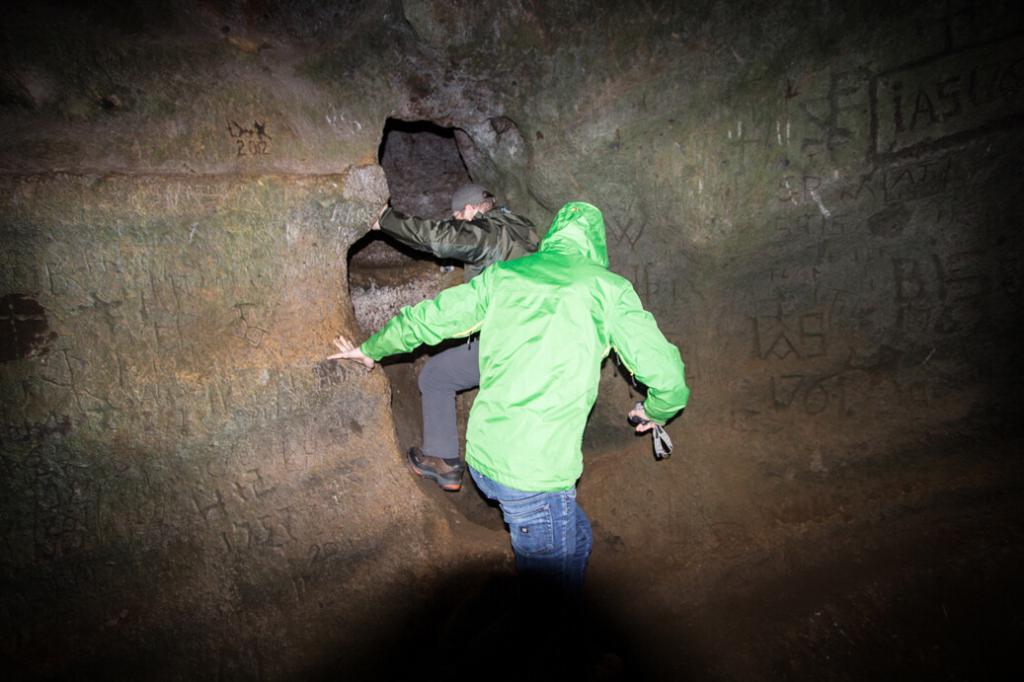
point(551, 536)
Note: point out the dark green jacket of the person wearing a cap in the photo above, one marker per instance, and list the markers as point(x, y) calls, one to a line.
point(496, 236)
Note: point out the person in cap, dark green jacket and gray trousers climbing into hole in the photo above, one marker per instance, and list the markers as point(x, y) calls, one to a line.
point(479, 234)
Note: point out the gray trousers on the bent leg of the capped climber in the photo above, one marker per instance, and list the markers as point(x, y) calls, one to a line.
point(444, 375)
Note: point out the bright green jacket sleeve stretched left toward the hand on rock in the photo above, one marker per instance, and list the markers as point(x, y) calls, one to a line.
point(455, 313)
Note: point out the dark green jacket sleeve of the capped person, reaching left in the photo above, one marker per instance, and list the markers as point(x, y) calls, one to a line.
point(458, 240)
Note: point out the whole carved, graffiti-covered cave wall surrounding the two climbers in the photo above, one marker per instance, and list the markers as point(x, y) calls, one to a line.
point(820, 202)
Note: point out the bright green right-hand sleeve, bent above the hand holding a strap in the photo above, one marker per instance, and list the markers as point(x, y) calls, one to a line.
point(651, 358)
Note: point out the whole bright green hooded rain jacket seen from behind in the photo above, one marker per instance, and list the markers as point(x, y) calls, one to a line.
point(546, 322)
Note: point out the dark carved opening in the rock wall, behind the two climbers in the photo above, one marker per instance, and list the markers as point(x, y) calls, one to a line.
point(423, 167)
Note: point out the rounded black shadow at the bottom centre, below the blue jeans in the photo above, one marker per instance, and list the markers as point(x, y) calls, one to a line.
point(494, 633)
